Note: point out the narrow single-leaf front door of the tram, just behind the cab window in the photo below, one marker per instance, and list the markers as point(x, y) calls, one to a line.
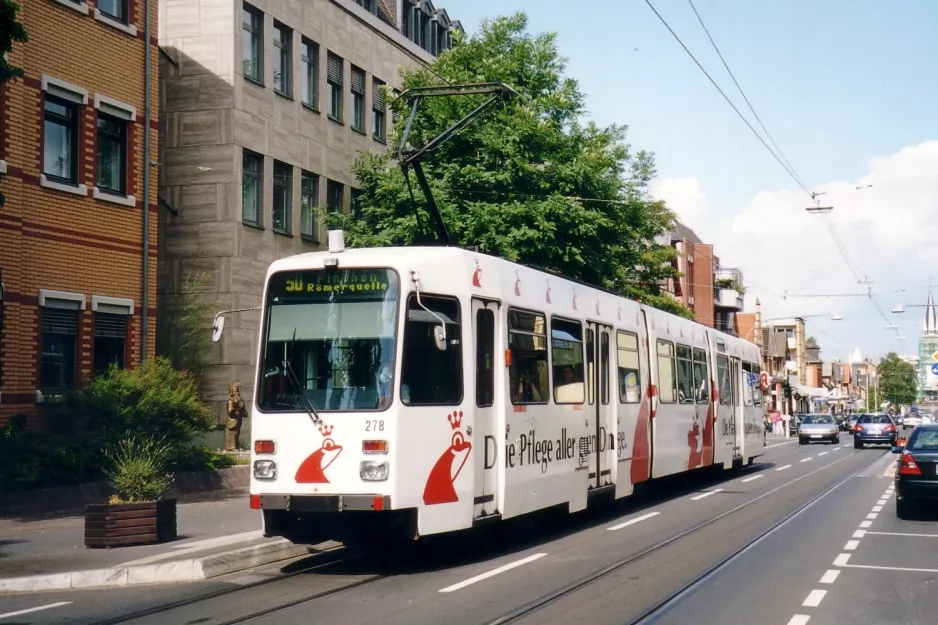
point(485, 330)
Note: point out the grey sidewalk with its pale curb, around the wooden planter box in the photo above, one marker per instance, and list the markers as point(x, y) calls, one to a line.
point(218, 536)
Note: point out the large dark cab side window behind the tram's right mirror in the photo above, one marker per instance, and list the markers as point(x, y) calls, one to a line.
point(430, 375)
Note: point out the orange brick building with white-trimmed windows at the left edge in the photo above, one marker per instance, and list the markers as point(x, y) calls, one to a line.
point(72, 168)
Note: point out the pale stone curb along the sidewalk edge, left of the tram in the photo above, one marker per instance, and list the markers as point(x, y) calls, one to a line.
point(188, 570)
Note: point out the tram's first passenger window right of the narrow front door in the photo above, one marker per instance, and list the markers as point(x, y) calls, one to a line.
point(527, 374)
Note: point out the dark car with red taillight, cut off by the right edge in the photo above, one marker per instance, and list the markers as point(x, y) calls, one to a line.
point(916, 478)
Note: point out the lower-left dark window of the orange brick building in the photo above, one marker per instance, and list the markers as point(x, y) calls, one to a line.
point(59, 339)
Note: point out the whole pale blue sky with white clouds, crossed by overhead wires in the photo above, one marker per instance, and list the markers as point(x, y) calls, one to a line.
point(848, 90)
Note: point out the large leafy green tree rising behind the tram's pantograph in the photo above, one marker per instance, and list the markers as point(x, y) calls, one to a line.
point(529, 181)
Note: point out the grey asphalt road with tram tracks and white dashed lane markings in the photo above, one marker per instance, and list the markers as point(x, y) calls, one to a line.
point(612, 566)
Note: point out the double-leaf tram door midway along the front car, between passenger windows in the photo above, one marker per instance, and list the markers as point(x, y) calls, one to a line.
point(601, 410)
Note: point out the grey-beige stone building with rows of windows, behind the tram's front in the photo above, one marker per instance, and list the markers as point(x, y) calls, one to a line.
point(265, 106)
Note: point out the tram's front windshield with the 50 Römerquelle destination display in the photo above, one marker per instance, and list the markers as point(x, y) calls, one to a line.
point(329, 334)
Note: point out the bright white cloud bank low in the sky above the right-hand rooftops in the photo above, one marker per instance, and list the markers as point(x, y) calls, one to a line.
point(889, 230)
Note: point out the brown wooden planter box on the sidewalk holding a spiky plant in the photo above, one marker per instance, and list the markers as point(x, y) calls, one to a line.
point(125, 524)
